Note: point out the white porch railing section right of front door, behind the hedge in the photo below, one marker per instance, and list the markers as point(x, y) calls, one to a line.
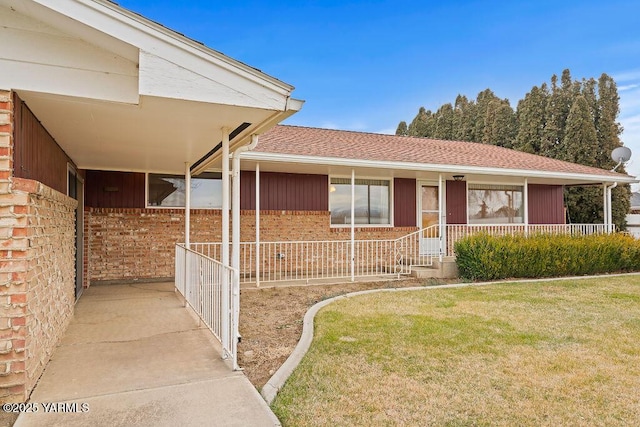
point(456, 232)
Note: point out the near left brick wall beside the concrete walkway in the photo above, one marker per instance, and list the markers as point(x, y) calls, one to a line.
point(37, 252)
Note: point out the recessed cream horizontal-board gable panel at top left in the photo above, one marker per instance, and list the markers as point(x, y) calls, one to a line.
point(37, 57)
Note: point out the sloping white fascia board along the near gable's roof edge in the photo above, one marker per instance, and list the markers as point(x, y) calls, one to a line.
point(157, 40)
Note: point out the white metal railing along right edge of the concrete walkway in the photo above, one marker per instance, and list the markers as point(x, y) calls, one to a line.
point(209, 289)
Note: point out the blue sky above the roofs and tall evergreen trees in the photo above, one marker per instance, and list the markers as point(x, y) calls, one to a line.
point(367, 65)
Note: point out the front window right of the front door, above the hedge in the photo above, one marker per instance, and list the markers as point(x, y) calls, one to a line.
point(495, 204)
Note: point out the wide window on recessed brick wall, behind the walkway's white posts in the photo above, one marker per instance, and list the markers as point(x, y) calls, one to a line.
point(168, 191)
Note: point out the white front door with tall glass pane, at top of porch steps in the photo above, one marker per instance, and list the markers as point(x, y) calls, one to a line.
point(429, 217)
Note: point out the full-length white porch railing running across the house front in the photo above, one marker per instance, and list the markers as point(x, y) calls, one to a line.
point(331, 259)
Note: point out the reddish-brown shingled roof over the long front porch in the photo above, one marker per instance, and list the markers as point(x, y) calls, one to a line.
point(316, 142)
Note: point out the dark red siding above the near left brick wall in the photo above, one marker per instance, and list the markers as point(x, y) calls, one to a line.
point(37, 155)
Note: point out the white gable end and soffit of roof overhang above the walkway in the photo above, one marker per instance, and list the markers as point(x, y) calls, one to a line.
point(120, 92)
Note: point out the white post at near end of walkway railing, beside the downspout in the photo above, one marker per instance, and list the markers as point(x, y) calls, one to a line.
point(225, 237)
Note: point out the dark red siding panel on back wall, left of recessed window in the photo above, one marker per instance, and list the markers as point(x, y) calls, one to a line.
point(107, 189)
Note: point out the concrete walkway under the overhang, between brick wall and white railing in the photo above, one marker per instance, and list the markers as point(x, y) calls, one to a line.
point(134, 356)
